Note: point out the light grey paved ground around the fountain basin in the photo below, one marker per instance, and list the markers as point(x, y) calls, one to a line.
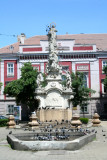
point(96, 150)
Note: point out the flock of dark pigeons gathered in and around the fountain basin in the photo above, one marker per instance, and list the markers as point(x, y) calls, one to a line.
point(60, 131)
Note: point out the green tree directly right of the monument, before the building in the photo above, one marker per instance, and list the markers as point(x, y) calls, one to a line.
point(80, 91)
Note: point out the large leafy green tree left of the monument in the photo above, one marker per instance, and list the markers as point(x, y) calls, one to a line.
point(23, 89)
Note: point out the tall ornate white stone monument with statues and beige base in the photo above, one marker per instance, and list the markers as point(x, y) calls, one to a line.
point(54, 98)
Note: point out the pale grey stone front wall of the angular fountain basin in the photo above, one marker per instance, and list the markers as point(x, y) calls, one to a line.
point(37, 145)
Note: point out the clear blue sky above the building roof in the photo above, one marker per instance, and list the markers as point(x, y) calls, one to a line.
point(32, 16)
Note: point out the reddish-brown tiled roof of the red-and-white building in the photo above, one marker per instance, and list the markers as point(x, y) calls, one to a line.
point(99, 39)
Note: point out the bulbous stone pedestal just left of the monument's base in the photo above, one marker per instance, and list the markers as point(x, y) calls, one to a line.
point(33, 124)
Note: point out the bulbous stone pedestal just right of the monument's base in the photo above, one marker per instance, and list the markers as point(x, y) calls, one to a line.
point(75, 121)
